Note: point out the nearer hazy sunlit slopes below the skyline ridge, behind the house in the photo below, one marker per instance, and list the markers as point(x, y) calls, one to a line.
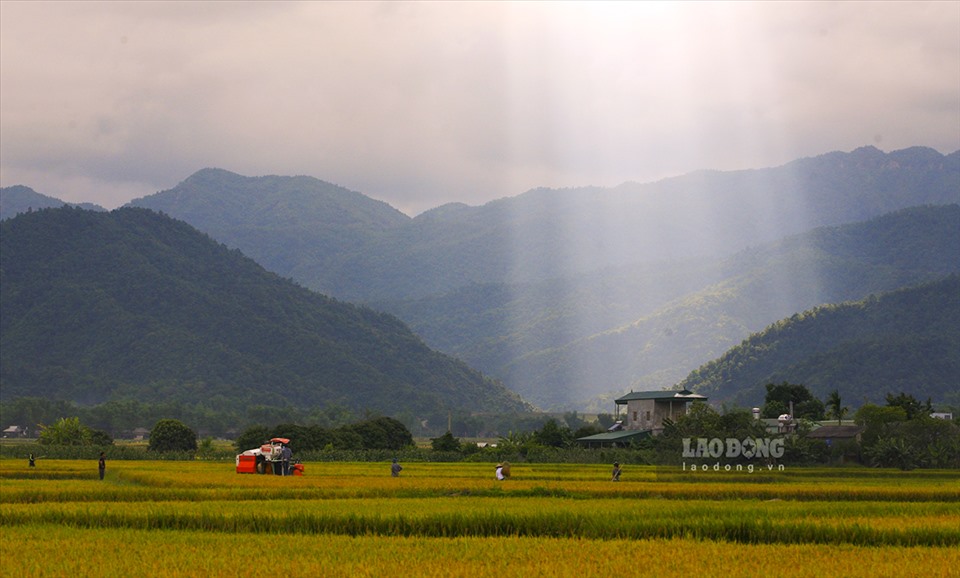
point(562, 342)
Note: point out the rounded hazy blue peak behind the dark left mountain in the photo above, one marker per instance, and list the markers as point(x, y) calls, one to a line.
point(298, 227)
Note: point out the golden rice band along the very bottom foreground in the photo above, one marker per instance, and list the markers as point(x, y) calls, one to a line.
point(62, 551)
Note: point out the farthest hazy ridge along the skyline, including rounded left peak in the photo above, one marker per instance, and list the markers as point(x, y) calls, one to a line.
point(354, 248)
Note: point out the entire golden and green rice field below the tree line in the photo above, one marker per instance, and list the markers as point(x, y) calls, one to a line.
point(201, 519)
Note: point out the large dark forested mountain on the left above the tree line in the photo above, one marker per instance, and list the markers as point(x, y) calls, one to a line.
point(132, 304)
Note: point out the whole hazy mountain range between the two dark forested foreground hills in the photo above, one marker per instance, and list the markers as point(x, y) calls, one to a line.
point(571, 297)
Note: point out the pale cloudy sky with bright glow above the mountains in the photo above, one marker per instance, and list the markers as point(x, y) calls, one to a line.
point(419, 104)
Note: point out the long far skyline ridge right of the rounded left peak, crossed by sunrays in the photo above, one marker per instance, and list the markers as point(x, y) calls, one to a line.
point(545, 234)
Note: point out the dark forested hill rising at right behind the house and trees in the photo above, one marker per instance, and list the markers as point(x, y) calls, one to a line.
point(904, 341)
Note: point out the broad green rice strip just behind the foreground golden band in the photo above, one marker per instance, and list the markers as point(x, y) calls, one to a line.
point(868, 524)
